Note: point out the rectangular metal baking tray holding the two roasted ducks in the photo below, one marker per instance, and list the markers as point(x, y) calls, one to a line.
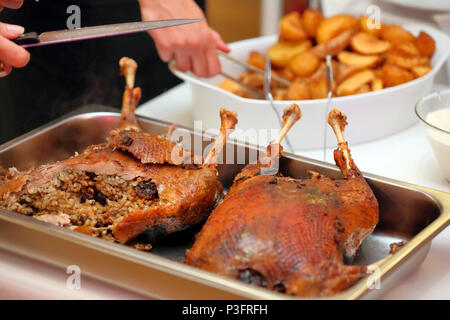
point(407, 213)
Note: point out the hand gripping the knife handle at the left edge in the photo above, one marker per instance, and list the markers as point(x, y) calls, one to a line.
point(11, 55)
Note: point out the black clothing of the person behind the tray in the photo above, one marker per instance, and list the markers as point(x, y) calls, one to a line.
point(64, 77)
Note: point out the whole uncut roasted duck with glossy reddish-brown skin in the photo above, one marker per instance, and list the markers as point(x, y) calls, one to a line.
point(290, 234)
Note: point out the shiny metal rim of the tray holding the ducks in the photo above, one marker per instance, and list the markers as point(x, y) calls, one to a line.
point(178, 269)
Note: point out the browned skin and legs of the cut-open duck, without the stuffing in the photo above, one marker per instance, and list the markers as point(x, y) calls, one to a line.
point(186, 194)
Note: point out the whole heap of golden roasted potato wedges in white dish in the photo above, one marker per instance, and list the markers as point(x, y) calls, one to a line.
point(366, 57)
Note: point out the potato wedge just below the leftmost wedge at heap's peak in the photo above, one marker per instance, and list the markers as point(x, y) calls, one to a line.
point(282, 52)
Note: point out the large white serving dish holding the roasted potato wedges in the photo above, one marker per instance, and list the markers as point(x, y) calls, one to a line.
point(371, 115)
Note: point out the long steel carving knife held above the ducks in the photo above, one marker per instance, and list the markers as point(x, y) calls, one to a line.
point(32, 39)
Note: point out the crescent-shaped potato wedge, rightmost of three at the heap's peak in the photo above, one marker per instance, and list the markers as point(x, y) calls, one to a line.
point(334, 26)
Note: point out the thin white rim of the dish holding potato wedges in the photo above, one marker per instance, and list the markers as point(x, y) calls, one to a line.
point(435, 68)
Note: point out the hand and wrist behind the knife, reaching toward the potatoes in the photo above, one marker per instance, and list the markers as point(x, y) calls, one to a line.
point(192, 46)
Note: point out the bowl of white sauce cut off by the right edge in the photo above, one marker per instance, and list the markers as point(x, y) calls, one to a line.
point(434, 112)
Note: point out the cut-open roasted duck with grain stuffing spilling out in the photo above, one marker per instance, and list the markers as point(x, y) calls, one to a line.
point(134, 182)
